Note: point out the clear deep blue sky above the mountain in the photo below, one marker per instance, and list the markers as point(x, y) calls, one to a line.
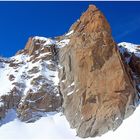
point(20, 20)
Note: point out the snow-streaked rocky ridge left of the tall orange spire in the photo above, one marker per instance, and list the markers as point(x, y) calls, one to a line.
point(33, 80)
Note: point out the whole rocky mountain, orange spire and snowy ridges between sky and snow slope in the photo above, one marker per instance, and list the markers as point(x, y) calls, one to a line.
point(84, 74)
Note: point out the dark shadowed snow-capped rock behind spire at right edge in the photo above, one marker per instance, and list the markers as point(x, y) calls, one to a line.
point(130, 54)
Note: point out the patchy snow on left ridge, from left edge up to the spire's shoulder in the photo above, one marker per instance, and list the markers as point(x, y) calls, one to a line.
point(24, 64)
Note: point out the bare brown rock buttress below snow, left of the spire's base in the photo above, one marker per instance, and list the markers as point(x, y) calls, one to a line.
point(33, 104)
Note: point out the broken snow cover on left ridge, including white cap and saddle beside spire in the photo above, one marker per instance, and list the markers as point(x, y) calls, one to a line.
point(24, 65)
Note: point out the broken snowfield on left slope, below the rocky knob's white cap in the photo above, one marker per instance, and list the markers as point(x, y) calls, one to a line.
point(22, 73)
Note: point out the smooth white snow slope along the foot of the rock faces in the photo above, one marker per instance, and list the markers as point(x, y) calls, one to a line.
point(56, 127)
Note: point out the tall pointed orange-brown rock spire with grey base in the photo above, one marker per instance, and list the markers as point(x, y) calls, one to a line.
point(97, 89)
